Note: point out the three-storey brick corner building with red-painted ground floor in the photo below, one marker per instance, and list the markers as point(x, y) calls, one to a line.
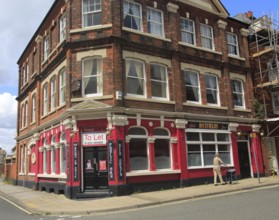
point(119, 96)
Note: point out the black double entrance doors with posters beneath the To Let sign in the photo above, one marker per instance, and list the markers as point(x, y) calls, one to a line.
point(95, 168)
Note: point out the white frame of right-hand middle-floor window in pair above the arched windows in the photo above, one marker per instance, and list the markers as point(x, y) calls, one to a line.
point(164, 83)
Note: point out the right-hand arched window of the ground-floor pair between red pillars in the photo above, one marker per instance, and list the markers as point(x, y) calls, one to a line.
point(162, 149)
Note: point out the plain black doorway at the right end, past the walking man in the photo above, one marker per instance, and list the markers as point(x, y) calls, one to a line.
point(244, 161)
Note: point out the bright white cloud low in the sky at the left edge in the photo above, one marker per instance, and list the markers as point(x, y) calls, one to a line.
point(8, 116)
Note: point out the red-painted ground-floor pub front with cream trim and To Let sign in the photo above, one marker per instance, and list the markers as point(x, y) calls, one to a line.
point(120, 154)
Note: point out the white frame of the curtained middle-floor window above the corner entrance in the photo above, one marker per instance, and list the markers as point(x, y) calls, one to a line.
point(98, 76)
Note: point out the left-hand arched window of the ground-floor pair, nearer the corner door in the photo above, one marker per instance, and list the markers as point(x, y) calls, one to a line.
point(138, 149)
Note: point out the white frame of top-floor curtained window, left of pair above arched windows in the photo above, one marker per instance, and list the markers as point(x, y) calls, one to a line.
point(127, 5)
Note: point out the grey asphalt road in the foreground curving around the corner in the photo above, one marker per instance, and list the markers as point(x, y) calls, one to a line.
point(252, 204)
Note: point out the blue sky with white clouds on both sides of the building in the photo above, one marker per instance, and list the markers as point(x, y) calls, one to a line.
point(19, 19)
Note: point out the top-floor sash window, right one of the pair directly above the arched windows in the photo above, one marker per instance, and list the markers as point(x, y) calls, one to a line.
point(152, 23)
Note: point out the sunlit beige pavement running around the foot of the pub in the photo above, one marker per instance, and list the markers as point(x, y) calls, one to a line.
point(43, 203)
